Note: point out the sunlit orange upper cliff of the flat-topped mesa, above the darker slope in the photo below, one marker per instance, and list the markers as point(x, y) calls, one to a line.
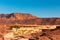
point(16, 16)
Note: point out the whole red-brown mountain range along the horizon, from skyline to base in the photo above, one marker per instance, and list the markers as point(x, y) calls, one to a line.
point(22, 18)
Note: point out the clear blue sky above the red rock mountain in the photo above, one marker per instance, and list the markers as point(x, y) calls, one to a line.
point(40, 8)
